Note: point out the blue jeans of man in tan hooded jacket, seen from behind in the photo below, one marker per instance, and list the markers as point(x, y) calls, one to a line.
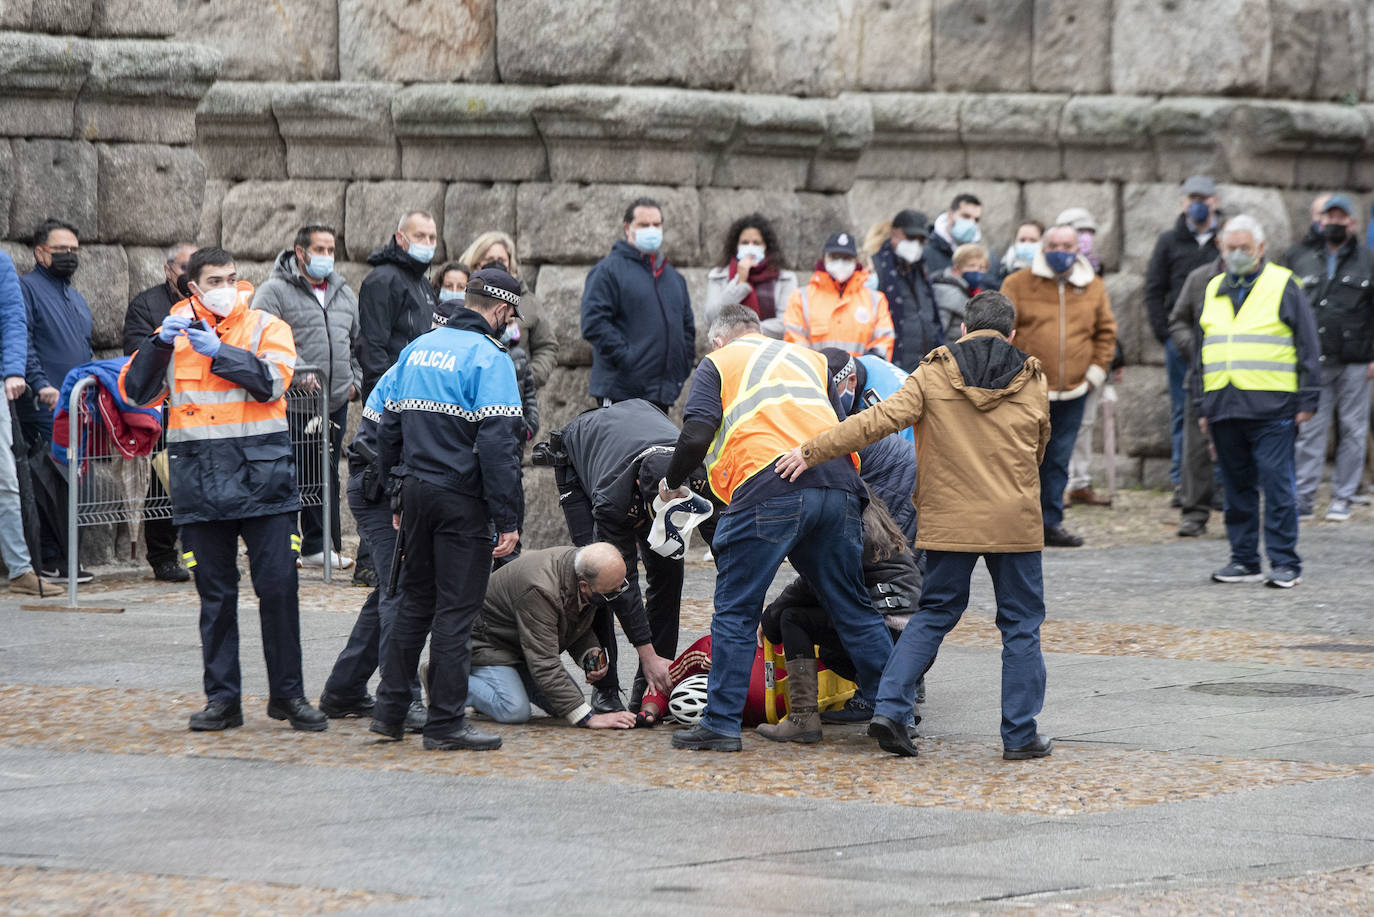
point(1020, 589)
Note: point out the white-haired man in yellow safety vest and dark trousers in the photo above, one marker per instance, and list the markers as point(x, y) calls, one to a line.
point(1257, 376)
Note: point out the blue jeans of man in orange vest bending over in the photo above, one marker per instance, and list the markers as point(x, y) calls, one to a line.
point(821, 533)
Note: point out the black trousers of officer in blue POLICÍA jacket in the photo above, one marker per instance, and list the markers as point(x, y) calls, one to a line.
point(449, 560)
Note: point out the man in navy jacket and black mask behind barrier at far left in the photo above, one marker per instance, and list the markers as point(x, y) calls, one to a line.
point(60, 339)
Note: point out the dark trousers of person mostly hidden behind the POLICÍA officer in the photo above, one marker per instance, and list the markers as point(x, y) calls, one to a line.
point(372, 636)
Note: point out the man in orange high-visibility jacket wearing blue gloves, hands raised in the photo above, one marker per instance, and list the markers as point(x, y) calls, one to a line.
point(225, 371)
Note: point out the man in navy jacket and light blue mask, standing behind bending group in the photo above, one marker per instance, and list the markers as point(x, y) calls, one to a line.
point(638, 318)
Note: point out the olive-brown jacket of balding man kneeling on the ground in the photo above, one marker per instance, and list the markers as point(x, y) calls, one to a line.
point(532, 615)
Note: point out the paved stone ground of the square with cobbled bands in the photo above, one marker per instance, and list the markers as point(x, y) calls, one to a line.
point(1214, 755)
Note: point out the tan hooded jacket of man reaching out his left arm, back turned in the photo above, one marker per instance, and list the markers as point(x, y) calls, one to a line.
point(982, 413)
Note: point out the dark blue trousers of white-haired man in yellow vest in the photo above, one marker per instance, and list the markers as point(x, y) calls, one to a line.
point(1258, 456)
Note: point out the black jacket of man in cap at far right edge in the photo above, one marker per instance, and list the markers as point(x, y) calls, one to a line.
point(1343, 305)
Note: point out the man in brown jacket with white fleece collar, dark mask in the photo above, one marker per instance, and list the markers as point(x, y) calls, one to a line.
point(1064, 318)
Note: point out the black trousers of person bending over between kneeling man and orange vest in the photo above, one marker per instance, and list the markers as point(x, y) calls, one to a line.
point(663, 600)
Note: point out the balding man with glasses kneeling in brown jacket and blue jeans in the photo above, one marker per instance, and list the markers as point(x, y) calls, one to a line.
point(538, 608)
